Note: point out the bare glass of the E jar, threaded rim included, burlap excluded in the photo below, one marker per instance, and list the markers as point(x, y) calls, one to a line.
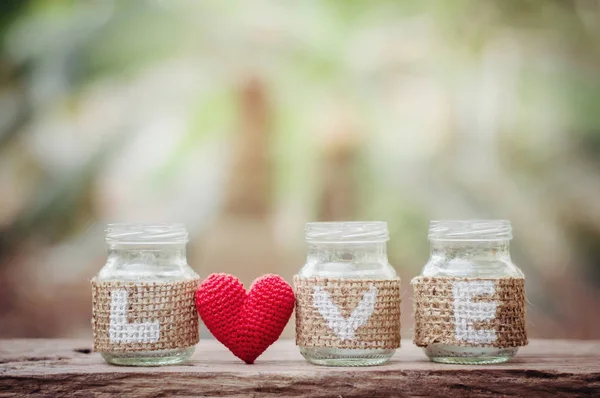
point(470, 249)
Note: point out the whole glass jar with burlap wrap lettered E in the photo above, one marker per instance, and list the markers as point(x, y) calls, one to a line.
point(470, 298)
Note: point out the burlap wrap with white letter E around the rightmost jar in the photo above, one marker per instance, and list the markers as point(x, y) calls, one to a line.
point(470, 312)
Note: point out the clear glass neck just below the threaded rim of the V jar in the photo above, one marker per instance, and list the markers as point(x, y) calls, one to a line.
point(355, 252)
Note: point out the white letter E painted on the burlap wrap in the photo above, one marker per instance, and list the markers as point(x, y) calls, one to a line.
point(466, 311)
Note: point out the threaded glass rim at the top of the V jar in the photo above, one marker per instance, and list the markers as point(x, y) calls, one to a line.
point(346, 232)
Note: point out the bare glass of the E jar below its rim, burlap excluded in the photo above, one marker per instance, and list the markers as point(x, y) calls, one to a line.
point(470, 259)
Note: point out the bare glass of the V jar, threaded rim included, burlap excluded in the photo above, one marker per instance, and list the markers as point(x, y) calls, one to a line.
point(347, 250)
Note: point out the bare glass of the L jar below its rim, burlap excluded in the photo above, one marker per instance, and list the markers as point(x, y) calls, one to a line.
point(146, 262)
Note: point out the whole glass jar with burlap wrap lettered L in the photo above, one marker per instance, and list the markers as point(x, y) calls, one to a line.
point(143, 311)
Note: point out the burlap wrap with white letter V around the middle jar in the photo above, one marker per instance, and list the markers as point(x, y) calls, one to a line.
point(347, 313)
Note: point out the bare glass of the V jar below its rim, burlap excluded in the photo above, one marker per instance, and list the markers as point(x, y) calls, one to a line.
point(347, 261)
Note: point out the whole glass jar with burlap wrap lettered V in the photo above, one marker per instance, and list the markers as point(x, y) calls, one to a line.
point(347, 296)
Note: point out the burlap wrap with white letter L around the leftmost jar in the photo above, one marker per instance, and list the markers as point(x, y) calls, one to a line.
point(144, 316)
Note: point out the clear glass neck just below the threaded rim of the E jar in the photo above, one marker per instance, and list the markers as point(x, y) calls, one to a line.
point(481, 250)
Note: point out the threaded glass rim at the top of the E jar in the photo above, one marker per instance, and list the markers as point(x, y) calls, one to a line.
point(470, 230)
